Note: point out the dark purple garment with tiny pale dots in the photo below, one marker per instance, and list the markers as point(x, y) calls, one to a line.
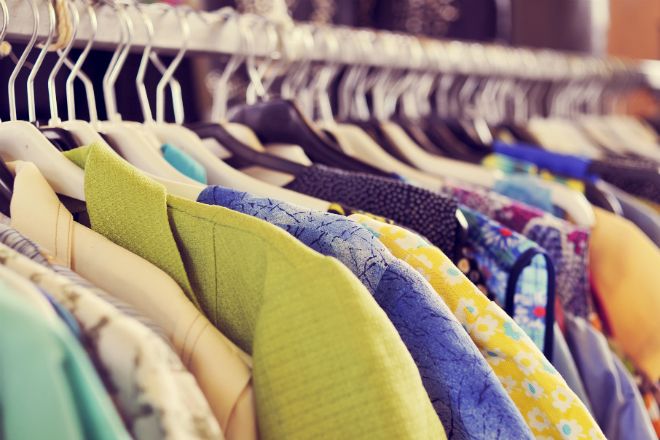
point(421, 210)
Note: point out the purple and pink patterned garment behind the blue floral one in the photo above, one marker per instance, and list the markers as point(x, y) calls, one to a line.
point(567, 244)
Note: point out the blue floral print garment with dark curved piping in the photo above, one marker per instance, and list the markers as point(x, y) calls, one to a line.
point(518, 272)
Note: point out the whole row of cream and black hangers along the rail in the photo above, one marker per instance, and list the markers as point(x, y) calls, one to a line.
point(364, 140)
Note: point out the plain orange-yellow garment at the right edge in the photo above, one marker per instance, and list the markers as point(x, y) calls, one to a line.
point(625, 271)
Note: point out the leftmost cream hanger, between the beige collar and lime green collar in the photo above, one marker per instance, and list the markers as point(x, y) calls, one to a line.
point(20, 140)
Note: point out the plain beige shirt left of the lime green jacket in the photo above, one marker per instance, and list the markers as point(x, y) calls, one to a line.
point(223, 371)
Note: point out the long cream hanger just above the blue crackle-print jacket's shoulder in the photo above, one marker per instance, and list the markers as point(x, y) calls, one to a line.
point(218, 172)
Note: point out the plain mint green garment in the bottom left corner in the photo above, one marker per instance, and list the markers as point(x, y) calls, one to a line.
point(49, 387)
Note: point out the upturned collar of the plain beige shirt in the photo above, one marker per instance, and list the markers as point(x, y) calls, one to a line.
point(37, 212)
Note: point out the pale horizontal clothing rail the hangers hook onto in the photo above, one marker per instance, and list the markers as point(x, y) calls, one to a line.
point(213, 33)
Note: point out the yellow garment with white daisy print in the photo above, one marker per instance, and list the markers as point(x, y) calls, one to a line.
point(544, 399)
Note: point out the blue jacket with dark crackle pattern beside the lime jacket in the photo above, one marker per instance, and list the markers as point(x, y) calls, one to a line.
point(466, 394)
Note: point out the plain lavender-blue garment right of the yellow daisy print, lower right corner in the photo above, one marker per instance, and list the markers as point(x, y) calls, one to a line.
point(616, 403)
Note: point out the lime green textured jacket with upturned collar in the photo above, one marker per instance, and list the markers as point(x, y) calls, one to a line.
point(327, 361)
